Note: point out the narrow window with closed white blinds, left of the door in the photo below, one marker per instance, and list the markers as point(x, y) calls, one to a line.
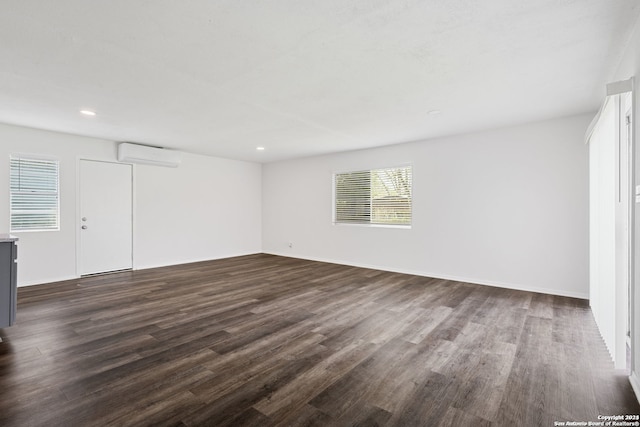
point(34, 194)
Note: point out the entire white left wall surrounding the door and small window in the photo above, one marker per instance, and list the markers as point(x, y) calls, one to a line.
point(207, 208)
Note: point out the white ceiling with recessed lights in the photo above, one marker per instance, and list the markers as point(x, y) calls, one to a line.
point(302, 77)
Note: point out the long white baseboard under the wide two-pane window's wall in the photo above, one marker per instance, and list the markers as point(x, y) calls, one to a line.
point(512, 286)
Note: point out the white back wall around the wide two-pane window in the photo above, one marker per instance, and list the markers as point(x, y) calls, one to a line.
point(507, 207)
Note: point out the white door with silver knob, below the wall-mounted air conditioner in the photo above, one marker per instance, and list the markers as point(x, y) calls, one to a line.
point(105, 217)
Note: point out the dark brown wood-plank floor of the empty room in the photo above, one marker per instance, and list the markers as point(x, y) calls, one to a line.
point(265, 340)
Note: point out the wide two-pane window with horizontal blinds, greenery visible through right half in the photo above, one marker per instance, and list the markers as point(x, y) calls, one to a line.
point(376, 196)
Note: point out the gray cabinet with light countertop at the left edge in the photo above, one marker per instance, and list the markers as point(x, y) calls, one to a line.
point(8, 280)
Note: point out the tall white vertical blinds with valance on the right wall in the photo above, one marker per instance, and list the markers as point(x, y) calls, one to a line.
point(609, 216)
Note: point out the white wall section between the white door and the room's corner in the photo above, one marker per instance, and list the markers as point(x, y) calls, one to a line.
point(208, 208)
